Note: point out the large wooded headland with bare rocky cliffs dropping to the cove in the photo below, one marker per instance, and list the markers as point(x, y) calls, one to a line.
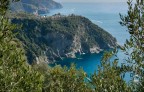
point(62, 36)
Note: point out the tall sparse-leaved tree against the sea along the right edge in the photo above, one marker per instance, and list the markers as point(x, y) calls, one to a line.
point(134, 47)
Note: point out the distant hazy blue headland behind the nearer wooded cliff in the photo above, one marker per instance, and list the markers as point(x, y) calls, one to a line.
point(35, 6)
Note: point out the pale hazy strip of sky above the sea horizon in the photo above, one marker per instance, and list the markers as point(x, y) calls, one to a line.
point(90, 0)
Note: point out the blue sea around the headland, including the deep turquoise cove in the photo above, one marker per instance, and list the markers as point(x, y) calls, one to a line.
point(105, 15)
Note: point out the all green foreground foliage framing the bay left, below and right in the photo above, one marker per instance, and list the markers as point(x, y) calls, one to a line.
point(17, 76)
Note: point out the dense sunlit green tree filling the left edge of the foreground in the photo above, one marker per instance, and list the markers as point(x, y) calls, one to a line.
point(15, 74)
